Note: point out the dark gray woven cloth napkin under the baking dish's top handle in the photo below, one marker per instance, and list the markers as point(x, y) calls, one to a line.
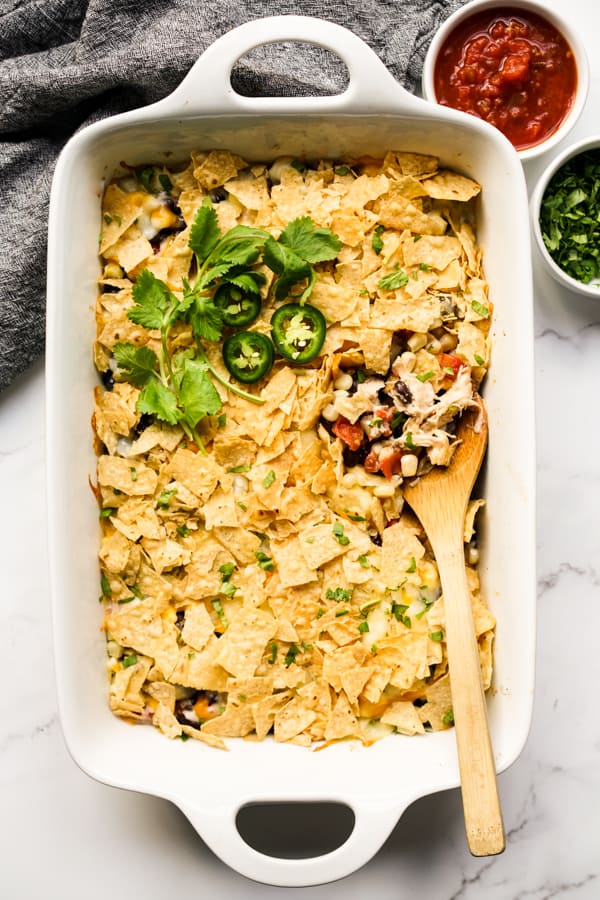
point(66, 63)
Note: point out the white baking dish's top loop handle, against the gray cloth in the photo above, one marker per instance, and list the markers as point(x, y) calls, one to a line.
point(207, 86)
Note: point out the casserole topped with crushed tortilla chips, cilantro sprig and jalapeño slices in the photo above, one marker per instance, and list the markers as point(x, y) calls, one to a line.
point(279, 348)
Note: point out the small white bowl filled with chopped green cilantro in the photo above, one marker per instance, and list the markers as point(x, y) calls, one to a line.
point(565, 211)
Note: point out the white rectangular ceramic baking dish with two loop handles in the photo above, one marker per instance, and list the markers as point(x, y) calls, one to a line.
point(374, 114)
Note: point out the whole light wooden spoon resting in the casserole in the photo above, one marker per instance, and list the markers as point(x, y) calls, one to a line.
point(439, 499)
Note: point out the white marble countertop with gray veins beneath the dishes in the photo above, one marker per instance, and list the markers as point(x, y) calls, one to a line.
point(66, 837)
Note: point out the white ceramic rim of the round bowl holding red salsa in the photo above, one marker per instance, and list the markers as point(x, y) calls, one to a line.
point(571, 35)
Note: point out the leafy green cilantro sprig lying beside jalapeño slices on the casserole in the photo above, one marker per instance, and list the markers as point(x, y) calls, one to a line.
point(178, 388)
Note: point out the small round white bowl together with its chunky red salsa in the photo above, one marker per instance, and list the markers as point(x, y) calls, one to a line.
point(518, 65)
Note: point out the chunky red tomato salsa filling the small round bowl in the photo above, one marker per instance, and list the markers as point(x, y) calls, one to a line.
point(511, 68)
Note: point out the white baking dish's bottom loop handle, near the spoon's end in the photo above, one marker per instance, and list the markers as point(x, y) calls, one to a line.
point(373, 822)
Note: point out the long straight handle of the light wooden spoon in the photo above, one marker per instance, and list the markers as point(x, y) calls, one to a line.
point(483, 816)
